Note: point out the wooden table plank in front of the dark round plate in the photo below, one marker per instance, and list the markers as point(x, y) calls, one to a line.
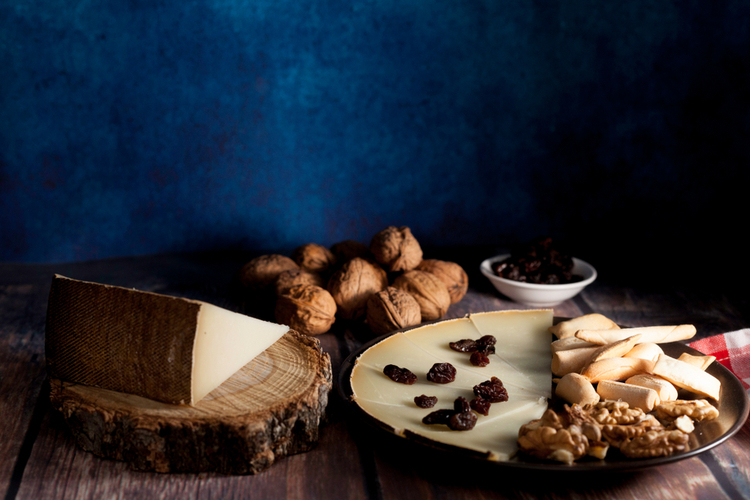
point(406, 475)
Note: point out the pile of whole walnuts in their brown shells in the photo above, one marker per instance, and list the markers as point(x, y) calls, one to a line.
point(388, 284)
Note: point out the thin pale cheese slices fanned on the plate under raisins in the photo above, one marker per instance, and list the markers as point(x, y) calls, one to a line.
point(521, 361)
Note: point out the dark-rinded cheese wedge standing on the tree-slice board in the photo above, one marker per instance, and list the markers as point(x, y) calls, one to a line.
point(165, 348)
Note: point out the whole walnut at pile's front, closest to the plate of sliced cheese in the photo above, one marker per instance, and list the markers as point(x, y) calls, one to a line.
point(392, 309)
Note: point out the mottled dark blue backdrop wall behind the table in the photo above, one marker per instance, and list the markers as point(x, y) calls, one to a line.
point(148, 126)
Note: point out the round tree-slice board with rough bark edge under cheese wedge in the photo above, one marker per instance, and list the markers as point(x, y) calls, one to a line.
point(269, 409)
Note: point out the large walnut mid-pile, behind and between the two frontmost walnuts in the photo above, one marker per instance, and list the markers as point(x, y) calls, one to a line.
point(353, 284)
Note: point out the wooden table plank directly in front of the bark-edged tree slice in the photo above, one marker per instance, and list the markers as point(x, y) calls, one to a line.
point(59, 469)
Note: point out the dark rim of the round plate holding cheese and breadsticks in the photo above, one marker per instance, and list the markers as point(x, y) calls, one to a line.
point(345, 391)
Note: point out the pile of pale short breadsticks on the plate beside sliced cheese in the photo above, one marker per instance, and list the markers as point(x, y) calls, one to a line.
point(593, 358)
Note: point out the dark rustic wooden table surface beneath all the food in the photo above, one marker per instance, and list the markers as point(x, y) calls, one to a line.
point(39, 460)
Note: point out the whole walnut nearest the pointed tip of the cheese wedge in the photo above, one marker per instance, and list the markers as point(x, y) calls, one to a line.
point(309, 309)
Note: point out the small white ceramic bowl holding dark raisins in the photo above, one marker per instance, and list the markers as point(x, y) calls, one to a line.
point(533, 294)
